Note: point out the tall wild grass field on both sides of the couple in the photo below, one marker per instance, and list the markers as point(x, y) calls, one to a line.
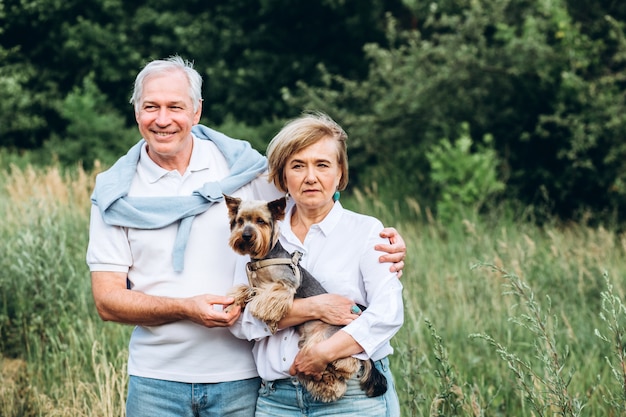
point(502, 318)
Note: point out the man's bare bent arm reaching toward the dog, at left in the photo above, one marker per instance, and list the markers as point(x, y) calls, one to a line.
point(115, 302)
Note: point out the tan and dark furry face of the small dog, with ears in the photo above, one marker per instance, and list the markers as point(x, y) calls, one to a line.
point(253, 229)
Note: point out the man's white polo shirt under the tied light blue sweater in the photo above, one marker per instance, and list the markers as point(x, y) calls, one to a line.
point(180, 351)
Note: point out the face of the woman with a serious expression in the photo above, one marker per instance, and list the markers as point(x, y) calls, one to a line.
point(312, 175)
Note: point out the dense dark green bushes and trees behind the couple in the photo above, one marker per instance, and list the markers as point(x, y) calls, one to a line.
point(544, 79)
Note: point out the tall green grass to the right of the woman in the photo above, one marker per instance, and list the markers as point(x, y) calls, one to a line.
point(505, 318)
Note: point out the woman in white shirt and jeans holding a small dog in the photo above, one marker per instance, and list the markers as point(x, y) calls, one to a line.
point(308, 160)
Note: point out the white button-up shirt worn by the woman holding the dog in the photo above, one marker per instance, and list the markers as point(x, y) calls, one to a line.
point(339, 253)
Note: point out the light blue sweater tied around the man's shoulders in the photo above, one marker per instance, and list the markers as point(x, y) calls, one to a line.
point(117, 209)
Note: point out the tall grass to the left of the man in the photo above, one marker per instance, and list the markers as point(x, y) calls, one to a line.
point(59, 359)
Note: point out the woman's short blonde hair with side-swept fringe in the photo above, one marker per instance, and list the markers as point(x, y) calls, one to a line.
point(300, 133)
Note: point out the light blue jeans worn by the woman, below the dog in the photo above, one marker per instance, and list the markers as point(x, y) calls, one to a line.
point(288, 398)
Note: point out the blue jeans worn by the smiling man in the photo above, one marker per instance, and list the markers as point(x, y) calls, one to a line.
point(153, 397)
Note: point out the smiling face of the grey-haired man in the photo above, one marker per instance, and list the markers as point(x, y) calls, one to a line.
point(165, 118)
